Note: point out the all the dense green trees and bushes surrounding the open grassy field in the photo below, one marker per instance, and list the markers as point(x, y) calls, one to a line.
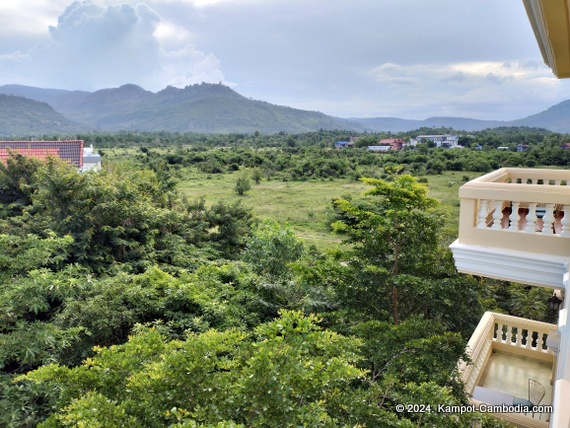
point(124, 304)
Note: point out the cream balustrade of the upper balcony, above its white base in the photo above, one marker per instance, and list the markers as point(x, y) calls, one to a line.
point(526, 206)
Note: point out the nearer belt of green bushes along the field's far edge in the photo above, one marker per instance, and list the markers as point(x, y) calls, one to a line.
point(321, 163)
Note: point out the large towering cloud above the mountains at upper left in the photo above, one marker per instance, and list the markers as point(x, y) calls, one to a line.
point(94, 47)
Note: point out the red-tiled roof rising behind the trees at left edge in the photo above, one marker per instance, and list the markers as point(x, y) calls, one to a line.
point(69, 150)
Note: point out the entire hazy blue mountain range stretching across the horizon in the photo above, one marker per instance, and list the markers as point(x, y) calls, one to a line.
point(206, 108)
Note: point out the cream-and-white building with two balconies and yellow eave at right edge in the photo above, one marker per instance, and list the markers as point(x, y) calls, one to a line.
point(515, 226)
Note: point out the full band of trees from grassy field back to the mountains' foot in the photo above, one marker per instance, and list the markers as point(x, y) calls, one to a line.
point(313, 156)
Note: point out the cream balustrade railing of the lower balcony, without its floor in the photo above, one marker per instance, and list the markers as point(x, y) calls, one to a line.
point(519, 336)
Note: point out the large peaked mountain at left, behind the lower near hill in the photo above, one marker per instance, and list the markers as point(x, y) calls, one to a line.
point(207, 108)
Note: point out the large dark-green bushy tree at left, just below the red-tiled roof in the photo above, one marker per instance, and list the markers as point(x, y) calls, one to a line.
point(118, 215)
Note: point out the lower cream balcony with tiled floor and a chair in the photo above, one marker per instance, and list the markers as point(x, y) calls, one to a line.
point(506, 351)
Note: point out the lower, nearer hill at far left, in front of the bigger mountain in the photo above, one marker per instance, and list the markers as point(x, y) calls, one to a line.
point(21, 116)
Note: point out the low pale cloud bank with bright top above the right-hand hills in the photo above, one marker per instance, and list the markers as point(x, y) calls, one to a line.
point(479, 89)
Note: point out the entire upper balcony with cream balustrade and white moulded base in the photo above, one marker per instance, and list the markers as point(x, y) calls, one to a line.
point(513, 226)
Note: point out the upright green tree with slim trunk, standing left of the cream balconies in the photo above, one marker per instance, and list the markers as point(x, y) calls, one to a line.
point(395, 230)
